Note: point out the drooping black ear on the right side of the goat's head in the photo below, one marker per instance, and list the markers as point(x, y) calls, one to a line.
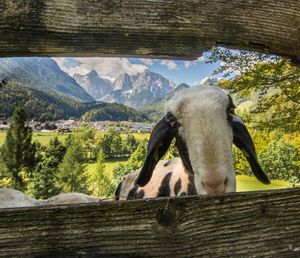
point(243, 140)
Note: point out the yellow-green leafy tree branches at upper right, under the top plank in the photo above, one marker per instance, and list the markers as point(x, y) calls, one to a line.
point(274, 81)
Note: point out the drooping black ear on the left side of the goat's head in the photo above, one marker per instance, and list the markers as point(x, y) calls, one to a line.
point(160, 140)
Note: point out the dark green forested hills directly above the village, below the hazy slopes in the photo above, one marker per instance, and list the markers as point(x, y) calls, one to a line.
point(44, 106)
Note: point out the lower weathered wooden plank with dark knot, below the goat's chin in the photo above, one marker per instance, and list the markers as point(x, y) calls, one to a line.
point(253, 224)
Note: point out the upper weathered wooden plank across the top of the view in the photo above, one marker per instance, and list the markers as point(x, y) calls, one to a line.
point(152, 28)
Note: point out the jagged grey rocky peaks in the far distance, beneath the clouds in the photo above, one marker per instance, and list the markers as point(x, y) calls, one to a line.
point(132, 90)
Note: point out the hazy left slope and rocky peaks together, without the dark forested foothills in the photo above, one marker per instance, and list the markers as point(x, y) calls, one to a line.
point(44, 74)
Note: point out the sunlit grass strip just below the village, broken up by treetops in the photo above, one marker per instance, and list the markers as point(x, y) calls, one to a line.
point(45, 137)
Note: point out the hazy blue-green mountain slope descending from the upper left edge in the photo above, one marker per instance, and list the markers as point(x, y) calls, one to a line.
point(42, 74)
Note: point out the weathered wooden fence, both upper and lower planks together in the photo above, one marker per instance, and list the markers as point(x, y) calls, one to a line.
point(253, 224)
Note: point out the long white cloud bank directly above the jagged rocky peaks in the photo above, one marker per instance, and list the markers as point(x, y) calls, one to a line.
point(108, 68)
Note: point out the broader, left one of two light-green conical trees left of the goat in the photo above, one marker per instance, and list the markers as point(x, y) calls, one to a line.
point(72, 177)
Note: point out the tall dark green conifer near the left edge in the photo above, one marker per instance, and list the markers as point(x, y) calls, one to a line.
point(18, 151)
